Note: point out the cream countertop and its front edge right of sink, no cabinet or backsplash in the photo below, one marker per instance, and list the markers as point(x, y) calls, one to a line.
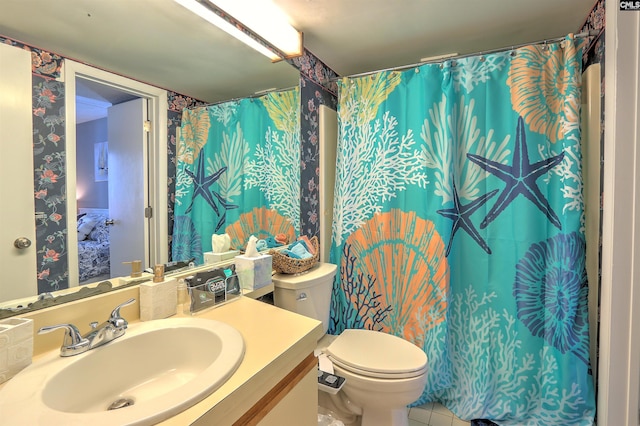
point(275, 342)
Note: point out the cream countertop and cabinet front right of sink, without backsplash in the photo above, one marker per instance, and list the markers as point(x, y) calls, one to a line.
point(276, 383)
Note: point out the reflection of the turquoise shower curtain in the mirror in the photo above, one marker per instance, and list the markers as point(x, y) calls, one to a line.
point(237, 172)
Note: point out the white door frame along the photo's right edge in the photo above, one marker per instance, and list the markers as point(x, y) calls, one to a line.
point(619, 366)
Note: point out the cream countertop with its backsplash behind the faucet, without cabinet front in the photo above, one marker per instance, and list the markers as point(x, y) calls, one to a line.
point(275, 340)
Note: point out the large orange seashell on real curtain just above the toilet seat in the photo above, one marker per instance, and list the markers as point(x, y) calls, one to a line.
point(406, 257)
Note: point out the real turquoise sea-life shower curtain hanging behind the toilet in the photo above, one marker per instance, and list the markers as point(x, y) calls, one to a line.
point(459, 226)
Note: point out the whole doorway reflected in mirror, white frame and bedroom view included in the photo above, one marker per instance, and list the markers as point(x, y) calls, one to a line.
point(116, 164)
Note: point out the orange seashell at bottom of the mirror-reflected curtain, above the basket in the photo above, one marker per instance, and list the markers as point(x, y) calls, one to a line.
point(262, 223)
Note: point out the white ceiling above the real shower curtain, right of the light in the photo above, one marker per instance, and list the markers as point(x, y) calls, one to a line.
point(355, 36)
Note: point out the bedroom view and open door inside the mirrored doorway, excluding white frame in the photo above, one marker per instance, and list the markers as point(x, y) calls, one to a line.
point(99, 220)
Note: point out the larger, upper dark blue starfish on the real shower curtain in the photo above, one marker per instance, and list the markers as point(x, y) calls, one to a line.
point(520, 178)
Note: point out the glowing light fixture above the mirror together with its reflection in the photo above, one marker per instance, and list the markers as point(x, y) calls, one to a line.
point(259, 24)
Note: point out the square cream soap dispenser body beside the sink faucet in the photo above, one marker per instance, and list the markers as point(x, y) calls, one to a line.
point(158, 300)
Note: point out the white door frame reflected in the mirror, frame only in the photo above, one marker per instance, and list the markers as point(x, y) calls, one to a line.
point(158, 241)
